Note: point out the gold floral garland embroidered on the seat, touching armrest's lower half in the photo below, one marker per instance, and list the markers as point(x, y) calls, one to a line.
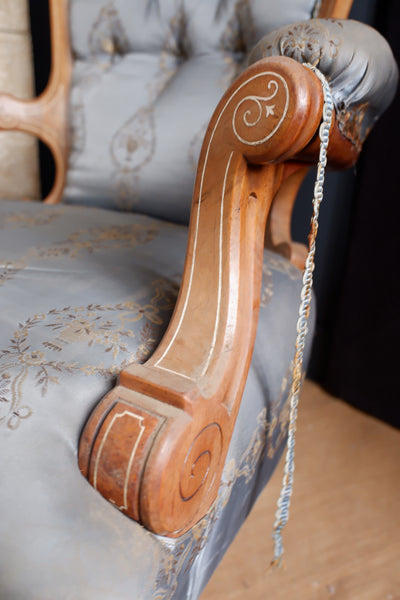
point(67, 330)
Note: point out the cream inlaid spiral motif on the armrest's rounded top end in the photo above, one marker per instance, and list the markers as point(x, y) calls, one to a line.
point(257, 118)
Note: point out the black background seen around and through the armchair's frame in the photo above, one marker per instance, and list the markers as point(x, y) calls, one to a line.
point(357, 281)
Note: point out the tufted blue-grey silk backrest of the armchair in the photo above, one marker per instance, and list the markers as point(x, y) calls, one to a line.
point(147, 75)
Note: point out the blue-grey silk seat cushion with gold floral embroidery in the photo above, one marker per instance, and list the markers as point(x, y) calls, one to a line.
point(84, 291)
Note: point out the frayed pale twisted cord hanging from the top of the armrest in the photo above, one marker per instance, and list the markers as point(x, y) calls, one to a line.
point(282, 513)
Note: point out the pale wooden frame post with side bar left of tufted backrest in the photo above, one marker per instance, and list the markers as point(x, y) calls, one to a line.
point(46, 116)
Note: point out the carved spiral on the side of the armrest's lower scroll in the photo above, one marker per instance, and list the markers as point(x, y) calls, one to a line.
point(200, 463)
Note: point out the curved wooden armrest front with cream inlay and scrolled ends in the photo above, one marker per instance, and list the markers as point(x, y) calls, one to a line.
point(155, 446)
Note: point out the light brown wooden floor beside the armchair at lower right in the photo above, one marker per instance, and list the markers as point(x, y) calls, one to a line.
point(343, 537)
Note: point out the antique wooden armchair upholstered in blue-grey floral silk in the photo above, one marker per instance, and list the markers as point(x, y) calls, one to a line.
point(89, 285)
